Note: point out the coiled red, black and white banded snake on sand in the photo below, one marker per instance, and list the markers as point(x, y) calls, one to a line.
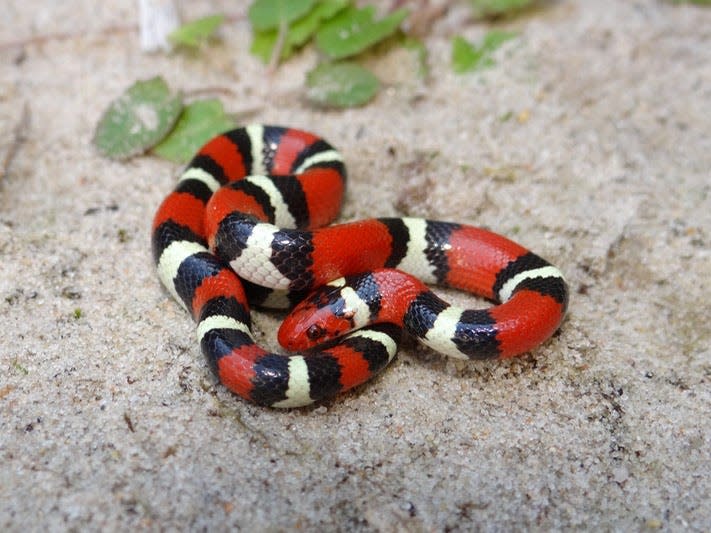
point(228, 214)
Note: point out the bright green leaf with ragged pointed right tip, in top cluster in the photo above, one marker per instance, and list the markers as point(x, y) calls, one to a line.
point(355, 30)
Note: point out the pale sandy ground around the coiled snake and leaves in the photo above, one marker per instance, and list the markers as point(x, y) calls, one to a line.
point(589, 142)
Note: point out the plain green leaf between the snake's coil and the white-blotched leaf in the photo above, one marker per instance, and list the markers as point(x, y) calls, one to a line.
point(200, 121)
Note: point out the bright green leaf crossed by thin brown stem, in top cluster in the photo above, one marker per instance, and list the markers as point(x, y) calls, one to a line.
point(298, 33)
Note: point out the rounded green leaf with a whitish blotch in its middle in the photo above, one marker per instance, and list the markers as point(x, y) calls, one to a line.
point(138, 119)
